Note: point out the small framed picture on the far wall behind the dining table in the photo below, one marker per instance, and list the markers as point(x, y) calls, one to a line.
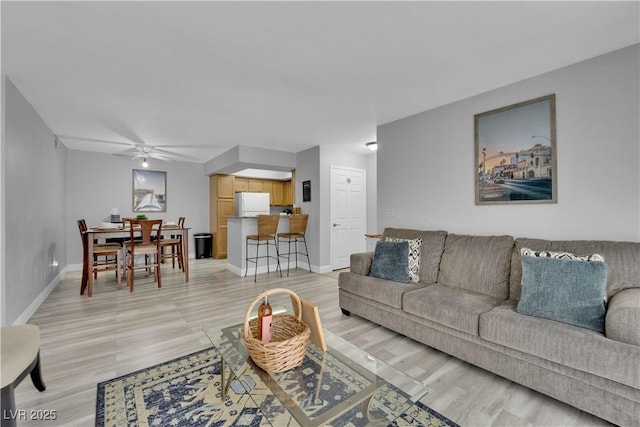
point(149, 191)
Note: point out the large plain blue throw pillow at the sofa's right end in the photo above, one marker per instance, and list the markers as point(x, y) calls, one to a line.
point(564, 290)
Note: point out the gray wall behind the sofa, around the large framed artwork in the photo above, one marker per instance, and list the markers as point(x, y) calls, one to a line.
point(430, 157)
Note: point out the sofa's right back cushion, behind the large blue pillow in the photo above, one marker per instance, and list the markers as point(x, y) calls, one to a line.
point(622, 260)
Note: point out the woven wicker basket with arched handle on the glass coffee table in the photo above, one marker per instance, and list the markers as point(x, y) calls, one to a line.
point(289, 337)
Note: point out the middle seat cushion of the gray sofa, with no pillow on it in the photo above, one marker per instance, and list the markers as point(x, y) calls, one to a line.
point(449, 306)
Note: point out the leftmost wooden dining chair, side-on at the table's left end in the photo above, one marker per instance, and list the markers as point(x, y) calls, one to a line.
point(106, 257)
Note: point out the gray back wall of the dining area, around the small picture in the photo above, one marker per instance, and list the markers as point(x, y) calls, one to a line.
point(97, 182)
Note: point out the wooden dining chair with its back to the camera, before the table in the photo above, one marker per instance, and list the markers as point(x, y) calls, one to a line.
point(148, 246)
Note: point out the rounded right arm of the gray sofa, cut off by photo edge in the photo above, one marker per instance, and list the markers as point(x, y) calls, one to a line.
point(623, 317)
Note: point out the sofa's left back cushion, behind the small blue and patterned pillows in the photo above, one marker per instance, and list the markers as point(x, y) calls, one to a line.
point(430, 249)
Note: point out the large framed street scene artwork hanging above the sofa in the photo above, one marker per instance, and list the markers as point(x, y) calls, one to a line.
point(515, 153)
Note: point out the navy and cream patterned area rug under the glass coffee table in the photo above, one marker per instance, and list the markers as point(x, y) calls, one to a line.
point(186, 392)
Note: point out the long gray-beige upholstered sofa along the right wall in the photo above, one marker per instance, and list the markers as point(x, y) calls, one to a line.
point(465, 304)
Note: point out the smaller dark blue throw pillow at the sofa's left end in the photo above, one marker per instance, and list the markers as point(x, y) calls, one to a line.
point(391, 261)
